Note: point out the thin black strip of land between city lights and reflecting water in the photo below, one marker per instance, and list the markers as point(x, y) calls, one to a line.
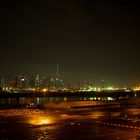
point(71, 94)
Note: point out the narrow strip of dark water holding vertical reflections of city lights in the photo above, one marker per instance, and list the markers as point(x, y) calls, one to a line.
point(40, 100)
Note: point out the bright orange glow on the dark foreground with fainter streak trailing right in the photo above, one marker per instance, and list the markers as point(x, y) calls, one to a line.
point(49, 118)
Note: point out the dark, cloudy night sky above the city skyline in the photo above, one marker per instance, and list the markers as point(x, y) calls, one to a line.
point(90, 40)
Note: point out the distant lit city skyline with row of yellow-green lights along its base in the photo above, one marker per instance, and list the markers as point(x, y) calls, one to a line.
point(55, 84)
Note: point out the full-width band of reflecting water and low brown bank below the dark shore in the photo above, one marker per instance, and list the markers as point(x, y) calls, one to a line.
point(68, 102)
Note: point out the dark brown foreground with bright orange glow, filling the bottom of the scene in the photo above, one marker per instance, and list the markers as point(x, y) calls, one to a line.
point(117, 123)
